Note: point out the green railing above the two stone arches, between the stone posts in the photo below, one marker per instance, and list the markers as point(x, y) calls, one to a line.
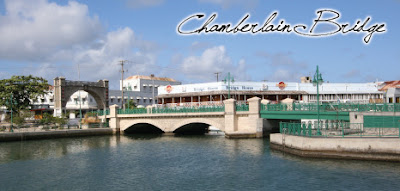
point(189, 109)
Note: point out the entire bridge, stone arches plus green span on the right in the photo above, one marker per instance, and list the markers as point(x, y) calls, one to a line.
point(252, 120)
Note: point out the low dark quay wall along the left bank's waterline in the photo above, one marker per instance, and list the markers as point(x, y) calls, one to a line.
point(51, 134)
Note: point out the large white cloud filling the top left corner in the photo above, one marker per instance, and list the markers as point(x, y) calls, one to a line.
point(34, 30)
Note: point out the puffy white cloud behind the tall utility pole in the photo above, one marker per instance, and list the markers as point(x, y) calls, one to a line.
point(103, 61)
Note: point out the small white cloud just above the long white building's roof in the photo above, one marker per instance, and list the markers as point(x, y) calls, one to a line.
point(212, 60)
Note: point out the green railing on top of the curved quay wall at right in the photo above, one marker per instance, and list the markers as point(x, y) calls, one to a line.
point(338, 129)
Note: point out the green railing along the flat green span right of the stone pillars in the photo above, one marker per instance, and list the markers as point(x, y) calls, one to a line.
point(386, 107)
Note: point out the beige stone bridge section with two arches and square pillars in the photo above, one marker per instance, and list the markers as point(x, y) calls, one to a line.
point(233, 123)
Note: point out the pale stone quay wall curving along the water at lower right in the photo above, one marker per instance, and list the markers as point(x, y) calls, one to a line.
point(381, 149)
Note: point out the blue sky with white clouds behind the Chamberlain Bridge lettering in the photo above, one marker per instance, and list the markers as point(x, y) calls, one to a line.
point(86, 40)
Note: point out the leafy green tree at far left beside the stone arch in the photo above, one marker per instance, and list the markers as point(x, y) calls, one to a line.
point(21, 89)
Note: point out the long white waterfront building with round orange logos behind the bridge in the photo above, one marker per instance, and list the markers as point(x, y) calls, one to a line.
point(274, 92)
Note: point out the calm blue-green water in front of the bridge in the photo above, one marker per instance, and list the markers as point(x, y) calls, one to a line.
point(179, 163)
